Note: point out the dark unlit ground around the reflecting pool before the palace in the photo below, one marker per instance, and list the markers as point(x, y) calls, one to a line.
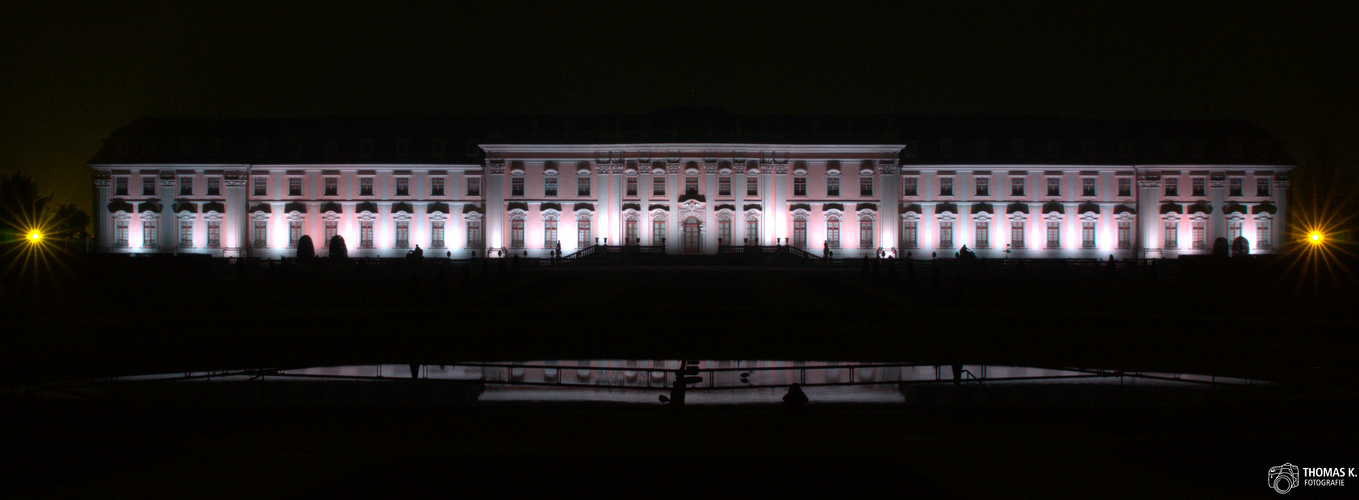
point(154, 320)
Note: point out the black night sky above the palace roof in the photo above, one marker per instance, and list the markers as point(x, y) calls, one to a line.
point(70, 75)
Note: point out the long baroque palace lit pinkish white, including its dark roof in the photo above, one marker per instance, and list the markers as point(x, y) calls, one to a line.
point(692, 180)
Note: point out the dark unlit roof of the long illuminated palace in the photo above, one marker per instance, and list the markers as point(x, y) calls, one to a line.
point(455, 139)
